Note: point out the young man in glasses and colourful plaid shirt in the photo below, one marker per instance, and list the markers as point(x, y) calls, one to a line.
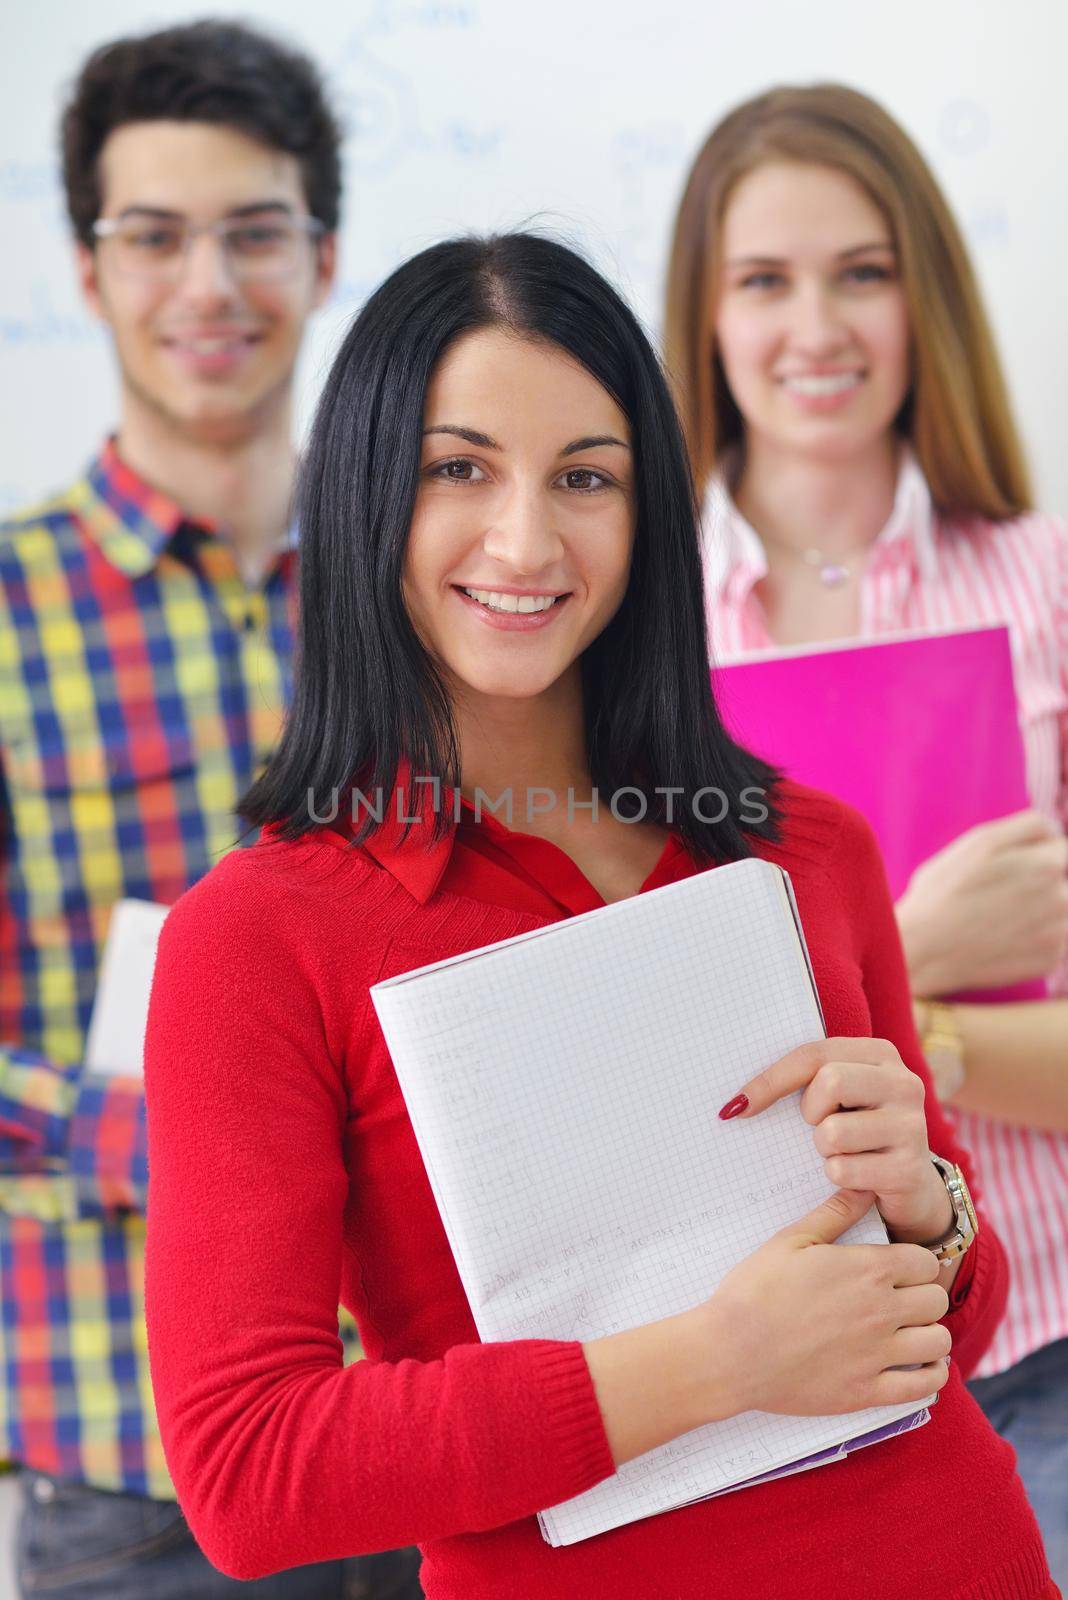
point(145, 662)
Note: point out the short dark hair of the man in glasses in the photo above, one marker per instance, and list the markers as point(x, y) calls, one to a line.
point(210, 71)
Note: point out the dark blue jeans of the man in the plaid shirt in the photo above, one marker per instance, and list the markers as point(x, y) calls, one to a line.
point(79, 1543)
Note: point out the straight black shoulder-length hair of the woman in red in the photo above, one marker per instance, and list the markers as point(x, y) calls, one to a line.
point(367, 694)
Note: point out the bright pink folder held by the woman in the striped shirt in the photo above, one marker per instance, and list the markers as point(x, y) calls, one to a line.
point(920, 734)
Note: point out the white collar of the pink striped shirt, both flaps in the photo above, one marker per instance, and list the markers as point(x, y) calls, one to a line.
point(735, 556)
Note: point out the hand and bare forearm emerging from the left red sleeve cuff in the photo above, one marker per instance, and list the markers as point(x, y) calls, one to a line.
point(803, 1326)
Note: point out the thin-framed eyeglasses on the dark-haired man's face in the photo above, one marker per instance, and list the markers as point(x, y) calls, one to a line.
point(154, 250)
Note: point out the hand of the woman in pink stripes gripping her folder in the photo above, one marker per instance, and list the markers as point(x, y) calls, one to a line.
point(989, 910)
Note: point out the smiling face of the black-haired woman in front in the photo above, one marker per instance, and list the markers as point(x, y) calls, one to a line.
point(520, 543)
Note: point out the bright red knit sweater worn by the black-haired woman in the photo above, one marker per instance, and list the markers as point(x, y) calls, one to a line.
point(285, 1178)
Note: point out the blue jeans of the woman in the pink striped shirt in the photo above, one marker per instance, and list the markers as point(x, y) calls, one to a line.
point(1029, 1406)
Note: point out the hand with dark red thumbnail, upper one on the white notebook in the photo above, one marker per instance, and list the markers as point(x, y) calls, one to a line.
point(867, 1113)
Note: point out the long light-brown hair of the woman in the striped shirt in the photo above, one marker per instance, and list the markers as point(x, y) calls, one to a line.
point(958, 417)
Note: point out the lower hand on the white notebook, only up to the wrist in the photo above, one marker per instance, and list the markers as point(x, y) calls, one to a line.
point(810, 1329)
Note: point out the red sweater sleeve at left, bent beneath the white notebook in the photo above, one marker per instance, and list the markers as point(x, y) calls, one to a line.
point(281, 1455)
